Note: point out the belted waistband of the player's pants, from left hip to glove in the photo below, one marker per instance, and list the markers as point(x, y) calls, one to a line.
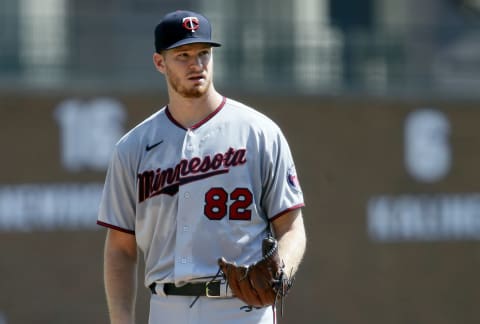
point(212, 289)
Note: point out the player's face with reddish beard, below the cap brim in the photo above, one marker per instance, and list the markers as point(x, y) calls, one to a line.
point(187, 69)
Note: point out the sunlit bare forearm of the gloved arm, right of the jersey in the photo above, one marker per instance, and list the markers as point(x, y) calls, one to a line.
point(292, 245)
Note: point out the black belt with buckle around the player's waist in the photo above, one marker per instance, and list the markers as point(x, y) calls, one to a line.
point(208, 289)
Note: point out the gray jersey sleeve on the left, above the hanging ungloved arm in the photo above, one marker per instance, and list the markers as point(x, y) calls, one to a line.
point(117, 205)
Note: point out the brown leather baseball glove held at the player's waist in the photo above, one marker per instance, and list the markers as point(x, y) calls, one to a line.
point(262, 283)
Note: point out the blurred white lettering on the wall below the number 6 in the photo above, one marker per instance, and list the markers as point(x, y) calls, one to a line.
point(424, 217)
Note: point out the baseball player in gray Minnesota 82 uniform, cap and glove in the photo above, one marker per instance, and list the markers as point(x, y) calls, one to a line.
point(206, 189)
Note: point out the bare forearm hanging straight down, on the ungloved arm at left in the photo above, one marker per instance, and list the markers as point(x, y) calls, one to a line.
point(120, 275)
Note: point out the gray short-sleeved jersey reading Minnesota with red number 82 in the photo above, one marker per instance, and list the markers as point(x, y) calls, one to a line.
point(193, 195)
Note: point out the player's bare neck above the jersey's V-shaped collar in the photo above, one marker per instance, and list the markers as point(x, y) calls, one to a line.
point(189, 111)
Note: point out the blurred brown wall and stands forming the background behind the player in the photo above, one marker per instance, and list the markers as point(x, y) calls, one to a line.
point(379, 99)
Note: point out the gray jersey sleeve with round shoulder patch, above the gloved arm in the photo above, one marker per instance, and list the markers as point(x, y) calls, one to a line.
point(281, 187)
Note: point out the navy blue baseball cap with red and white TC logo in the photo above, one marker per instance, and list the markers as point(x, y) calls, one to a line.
point(182, 27)
